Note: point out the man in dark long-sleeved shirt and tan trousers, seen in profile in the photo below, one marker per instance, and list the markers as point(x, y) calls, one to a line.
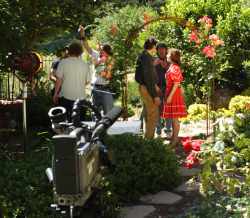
point(147, 79)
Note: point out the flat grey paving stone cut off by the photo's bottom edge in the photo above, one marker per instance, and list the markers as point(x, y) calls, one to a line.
point(140, 211)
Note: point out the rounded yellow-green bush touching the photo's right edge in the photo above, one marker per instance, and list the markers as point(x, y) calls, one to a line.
point(238, 104)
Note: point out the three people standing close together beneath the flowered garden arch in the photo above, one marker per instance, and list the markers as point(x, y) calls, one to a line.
point(160, 88)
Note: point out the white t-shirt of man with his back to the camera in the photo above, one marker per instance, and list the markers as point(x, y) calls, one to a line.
point(75, 74)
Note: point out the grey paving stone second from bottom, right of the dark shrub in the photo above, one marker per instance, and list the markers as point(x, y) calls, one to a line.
point(162, 197)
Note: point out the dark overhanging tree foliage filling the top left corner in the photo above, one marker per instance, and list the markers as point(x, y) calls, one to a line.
point(26, 23)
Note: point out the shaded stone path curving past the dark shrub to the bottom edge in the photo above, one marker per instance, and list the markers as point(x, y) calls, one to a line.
point(164, 201)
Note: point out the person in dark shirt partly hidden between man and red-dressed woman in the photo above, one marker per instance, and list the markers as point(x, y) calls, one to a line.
point(161, 67)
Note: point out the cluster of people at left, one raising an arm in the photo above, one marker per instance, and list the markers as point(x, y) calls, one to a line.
point(72, 74)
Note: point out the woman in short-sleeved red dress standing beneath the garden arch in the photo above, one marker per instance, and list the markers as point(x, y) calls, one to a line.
point(174, 105)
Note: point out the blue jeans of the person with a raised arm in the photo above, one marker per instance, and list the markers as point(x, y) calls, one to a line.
point(103, 99)
